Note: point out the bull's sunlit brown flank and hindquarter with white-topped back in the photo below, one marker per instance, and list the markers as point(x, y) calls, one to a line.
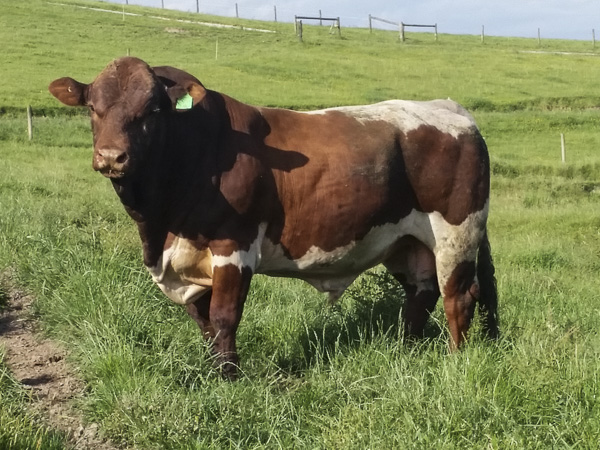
point(371, 165)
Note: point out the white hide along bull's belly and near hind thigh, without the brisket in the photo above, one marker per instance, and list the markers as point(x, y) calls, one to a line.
point(333, 271)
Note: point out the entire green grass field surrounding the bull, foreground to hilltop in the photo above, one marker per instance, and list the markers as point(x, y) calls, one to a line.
point(313, 376)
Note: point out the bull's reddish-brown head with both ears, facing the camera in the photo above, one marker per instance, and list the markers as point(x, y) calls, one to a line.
point(126, 102)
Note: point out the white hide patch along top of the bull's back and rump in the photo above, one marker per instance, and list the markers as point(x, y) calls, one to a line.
point(445, 115)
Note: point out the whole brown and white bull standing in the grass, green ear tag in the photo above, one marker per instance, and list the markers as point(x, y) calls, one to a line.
point(224, 190)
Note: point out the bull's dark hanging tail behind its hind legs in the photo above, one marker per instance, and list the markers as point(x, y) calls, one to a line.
point(488, 293)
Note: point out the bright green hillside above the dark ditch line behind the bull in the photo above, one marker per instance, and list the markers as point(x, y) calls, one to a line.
point(276, 69)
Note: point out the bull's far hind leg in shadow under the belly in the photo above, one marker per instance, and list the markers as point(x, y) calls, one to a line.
point(413, 265)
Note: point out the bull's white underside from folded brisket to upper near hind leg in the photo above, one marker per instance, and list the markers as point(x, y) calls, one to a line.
point(184, 273)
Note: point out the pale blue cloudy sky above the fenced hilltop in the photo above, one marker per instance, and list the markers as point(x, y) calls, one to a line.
point(560, 19)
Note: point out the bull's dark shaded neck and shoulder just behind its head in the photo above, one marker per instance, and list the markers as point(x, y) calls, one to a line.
point(178, 172)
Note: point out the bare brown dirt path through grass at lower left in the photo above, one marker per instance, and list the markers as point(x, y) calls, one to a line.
point(40, 365)
